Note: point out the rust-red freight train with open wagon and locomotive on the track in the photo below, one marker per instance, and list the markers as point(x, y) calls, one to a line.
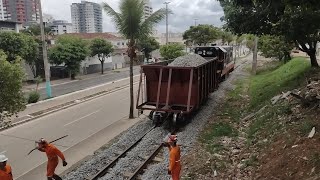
point(175, 92)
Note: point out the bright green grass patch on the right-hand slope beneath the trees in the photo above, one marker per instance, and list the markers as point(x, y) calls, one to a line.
point(271, 82)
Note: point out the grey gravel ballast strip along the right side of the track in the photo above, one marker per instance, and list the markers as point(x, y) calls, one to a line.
point(189, 135)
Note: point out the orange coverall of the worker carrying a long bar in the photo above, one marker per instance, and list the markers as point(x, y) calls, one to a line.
point(52, 154)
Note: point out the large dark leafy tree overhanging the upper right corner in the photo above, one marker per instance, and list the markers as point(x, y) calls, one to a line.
point(294, 20)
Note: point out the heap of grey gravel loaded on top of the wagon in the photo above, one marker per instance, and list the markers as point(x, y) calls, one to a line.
point(190, 60)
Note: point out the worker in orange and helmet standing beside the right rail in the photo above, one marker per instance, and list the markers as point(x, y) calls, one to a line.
point(174, 157)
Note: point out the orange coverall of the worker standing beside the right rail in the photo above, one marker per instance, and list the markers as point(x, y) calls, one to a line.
point(174, 162)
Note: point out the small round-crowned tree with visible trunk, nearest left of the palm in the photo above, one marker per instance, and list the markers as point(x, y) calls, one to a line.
point(101, 48)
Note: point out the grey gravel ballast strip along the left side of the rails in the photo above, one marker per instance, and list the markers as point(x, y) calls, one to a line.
point(104, 156)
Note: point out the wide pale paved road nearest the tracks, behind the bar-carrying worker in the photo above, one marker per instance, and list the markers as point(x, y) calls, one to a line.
point(99, 120)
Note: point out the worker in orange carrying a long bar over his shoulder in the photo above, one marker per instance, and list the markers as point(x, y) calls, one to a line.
point(53, 161)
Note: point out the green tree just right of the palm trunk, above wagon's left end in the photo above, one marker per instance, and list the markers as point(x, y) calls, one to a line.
point(147, 45)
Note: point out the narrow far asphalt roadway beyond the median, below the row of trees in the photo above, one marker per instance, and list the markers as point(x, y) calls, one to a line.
point(69, 87)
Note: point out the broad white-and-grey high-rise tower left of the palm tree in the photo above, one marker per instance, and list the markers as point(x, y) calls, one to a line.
point(86, 17)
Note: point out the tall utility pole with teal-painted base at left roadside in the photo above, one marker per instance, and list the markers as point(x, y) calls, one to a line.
point(45, 55)
